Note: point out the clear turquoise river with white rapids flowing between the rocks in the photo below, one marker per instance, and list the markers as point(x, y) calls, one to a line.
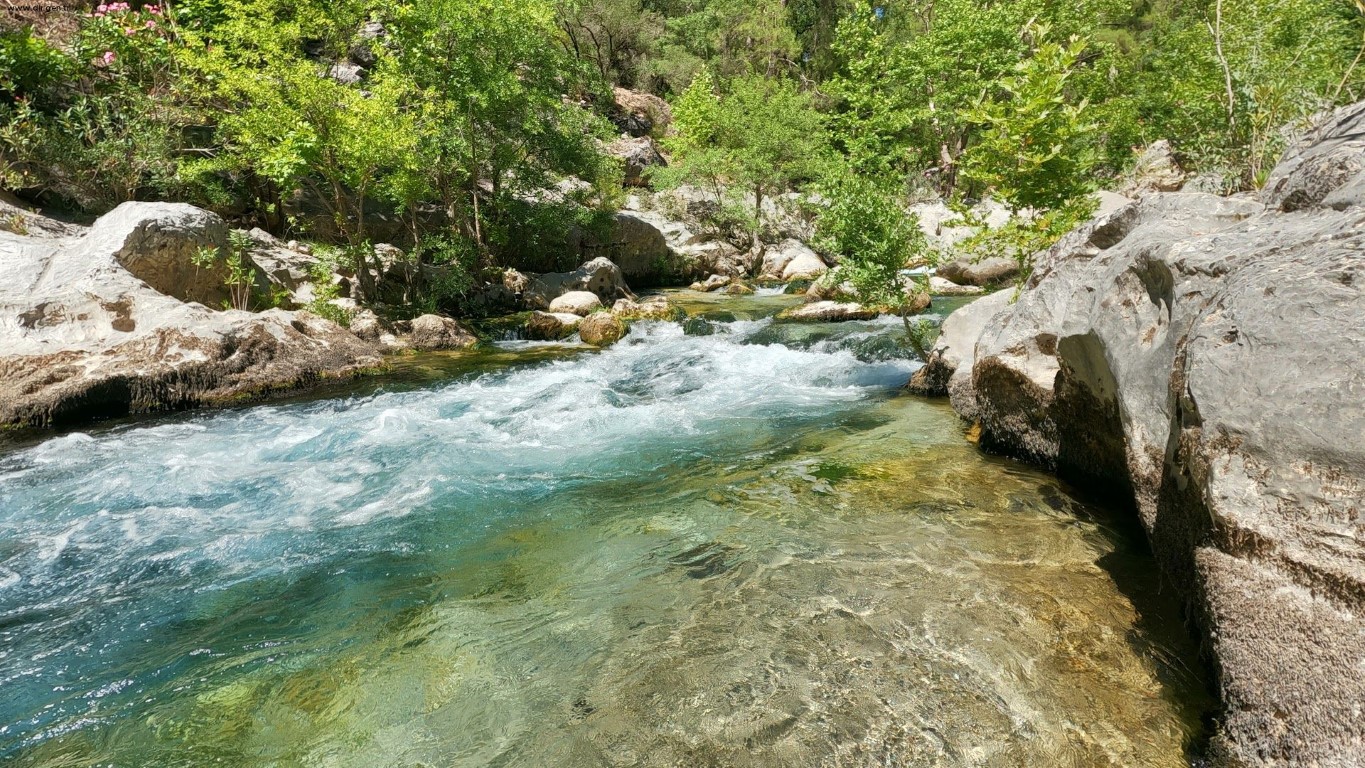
point(736, 549)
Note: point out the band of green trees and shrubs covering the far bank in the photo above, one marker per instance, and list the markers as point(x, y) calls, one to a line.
point(458, 121)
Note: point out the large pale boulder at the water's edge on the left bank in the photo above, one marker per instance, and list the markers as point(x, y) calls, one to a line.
point(113, 320)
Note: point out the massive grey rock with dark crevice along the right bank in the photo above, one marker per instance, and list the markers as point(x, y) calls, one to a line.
point(1203, 358)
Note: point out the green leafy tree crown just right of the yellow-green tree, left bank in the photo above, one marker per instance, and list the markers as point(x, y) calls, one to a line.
point(489, 83)
